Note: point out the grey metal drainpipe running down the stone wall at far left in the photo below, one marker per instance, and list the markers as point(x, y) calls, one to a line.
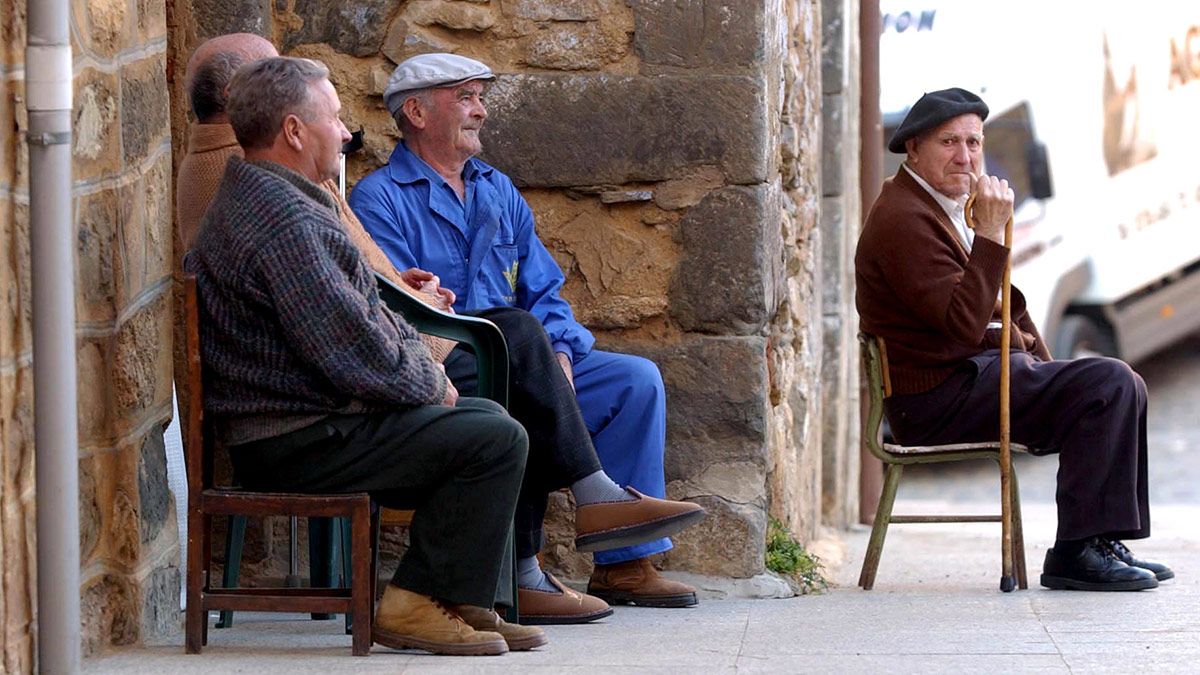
point(49, 93)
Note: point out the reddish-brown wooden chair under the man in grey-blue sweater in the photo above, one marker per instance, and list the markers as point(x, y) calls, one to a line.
point(206, 501)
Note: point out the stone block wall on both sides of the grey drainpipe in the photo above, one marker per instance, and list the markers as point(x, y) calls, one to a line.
point(122, 205)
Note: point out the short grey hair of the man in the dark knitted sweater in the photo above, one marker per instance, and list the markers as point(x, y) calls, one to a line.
point(265, 93)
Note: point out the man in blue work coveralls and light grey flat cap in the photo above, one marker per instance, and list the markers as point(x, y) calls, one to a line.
point(439, 208)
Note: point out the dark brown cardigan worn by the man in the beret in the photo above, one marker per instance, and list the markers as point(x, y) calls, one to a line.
point(925, 295)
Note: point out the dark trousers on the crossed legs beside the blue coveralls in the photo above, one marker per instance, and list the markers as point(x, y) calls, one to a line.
point(541, 398)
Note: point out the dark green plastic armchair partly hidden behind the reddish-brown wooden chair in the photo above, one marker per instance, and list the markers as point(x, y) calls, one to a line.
point(329, 537)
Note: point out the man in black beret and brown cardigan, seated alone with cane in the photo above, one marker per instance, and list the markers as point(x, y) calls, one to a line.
point(928, 286)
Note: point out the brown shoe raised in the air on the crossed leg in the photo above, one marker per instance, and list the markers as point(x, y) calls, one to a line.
point(611, 525)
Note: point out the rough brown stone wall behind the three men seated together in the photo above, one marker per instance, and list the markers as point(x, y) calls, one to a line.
point(670, 153)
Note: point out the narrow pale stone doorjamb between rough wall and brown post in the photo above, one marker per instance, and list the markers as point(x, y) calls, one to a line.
point(841, 216)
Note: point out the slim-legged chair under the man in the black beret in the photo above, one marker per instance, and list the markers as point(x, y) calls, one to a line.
point(896, 458)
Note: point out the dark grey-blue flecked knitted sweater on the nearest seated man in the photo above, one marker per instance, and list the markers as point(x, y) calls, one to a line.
point(292, 326)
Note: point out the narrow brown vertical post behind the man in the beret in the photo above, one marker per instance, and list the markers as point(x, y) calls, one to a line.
point(871, 27)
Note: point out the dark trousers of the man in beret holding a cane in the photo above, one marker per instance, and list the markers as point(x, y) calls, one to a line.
point(1091, 411)
